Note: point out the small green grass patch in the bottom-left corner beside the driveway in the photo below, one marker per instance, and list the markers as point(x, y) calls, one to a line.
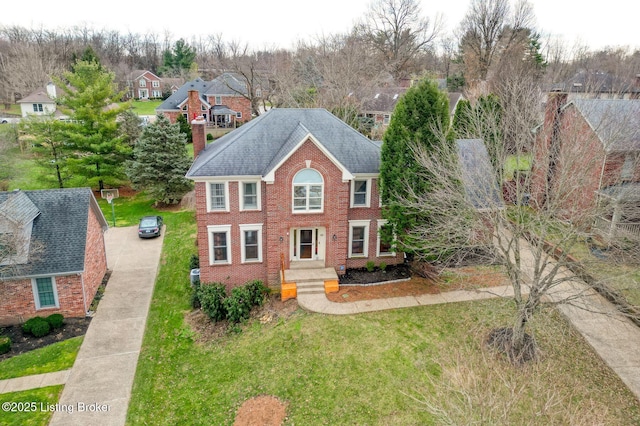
point(41, 399)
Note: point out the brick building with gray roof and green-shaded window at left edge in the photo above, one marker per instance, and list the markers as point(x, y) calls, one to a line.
point(52, 253)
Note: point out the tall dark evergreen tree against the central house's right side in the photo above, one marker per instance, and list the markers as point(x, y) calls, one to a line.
point(420, 117)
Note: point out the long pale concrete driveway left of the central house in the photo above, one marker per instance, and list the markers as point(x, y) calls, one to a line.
point(99, 385)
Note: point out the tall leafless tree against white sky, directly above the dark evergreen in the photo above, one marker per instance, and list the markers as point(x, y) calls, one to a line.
point(397, 32)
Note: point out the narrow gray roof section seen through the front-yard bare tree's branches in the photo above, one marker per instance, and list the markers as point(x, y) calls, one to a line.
point(478, 178)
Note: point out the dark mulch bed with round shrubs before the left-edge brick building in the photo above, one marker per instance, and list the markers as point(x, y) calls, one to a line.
point(21, 342)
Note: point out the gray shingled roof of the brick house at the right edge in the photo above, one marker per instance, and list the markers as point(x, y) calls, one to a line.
point(615, 121)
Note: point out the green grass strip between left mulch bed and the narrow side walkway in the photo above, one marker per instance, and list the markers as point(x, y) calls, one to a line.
point(54, 357)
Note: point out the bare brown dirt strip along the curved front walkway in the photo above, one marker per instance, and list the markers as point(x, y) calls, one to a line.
point(464, 278)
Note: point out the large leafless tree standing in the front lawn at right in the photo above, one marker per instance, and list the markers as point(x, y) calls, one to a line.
point(533, 241)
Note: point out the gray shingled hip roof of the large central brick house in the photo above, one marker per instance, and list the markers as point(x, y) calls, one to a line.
point(258, 146)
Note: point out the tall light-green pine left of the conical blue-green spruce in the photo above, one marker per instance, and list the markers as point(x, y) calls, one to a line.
point(89, 99)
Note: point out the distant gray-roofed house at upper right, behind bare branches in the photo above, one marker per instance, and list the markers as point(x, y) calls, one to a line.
point(598, 85)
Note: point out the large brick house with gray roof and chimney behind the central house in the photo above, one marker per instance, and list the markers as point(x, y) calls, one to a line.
point(222, 102)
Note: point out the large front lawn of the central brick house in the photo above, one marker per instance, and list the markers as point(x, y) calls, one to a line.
point(425, 365)
